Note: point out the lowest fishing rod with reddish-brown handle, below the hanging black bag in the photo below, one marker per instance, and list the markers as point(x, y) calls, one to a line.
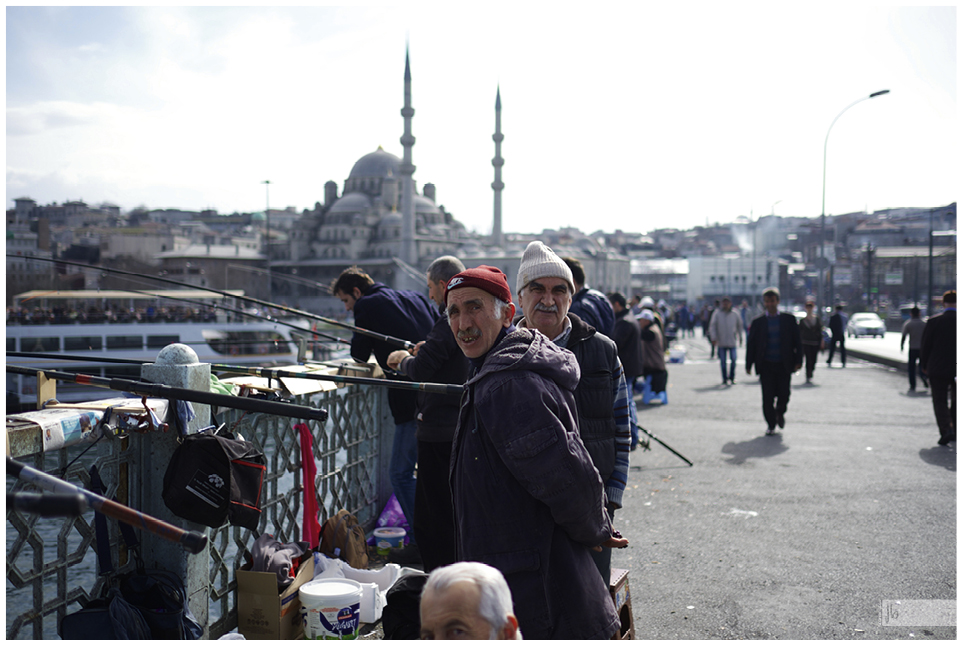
point(192, 541)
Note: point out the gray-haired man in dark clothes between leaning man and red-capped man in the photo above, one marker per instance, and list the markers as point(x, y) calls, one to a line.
point(437, 359)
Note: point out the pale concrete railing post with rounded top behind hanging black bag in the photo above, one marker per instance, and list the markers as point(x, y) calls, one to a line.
point(177, 365)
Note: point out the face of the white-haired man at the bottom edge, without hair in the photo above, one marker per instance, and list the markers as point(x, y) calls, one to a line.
point(452, 615)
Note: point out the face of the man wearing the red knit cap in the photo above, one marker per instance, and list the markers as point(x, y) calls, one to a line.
point(471, 316)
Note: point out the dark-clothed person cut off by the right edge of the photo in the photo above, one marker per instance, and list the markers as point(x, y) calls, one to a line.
point(938, 359)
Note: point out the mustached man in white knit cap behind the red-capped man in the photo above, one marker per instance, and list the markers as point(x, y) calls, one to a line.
point(545, 288)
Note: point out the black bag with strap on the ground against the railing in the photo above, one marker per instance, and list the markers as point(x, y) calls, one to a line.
point(142, 604)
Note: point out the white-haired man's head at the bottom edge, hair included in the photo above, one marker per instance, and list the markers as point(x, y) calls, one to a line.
point(467, 601)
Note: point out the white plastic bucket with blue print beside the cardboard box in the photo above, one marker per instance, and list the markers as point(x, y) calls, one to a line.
point(331, 608)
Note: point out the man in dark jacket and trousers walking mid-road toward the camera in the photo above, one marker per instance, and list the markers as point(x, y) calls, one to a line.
point(774, 347)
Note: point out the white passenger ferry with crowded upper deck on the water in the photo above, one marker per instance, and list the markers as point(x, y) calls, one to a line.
point(135, 326)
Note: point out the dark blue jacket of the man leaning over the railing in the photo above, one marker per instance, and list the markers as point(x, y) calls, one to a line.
point(406, 315)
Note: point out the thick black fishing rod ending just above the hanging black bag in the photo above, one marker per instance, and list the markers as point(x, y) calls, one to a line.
point(172, 392)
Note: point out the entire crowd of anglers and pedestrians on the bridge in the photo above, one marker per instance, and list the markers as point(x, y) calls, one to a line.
point(520, 480)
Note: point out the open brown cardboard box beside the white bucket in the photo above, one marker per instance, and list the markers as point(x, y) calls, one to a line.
point(265, 615)
